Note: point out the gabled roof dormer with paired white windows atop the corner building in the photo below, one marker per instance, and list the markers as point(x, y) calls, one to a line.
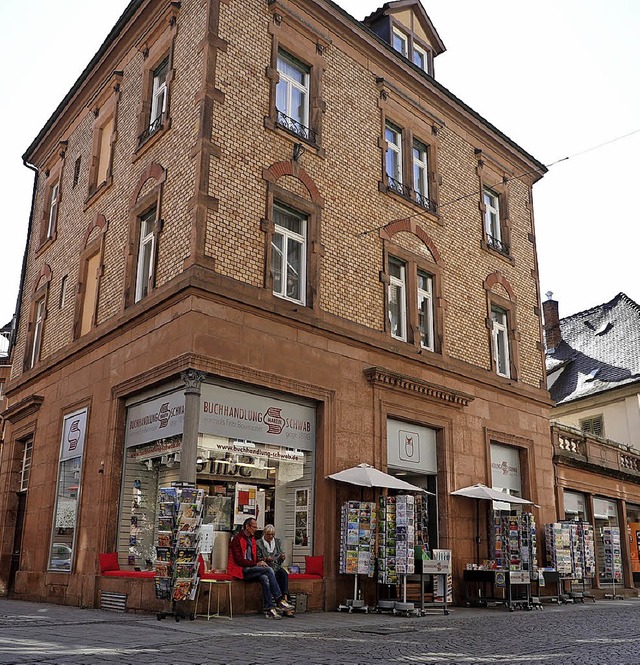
point(404, 25)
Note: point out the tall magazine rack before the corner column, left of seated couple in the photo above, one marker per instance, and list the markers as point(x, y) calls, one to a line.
point(178, 522)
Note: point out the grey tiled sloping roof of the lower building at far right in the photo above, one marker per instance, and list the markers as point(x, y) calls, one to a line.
point(600, 350)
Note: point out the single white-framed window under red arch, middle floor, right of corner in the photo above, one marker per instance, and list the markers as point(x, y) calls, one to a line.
point(289, 254)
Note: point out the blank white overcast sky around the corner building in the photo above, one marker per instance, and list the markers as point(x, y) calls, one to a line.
point(559, 77)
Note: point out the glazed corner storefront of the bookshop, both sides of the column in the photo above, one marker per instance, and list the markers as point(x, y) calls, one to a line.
point(255, 459)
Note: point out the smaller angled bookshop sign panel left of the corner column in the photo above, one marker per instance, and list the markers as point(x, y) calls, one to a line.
point(159, 418)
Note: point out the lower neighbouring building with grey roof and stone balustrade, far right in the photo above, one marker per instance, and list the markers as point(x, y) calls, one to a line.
point(593, 368)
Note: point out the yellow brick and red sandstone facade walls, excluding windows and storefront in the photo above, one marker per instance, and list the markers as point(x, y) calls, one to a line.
point(221, 161)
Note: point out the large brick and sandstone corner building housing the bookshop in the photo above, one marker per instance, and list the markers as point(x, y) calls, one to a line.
point(266, 245)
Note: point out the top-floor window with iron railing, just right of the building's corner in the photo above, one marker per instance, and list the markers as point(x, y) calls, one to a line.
point(292, 96)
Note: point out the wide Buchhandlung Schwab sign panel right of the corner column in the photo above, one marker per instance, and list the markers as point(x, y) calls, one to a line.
point(246, 417)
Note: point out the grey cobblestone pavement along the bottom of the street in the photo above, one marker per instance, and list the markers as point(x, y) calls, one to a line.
point(604, 633)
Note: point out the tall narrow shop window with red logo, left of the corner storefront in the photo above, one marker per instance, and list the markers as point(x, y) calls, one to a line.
point(65, 516)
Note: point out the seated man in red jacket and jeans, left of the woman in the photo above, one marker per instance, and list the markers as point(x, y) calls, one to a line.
point(244, 564)
